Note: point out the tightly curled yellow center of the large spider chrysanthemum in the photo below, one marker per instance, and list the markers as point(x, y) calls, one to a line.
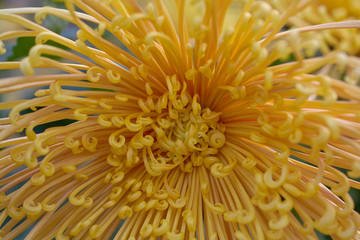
point(186, 134)
